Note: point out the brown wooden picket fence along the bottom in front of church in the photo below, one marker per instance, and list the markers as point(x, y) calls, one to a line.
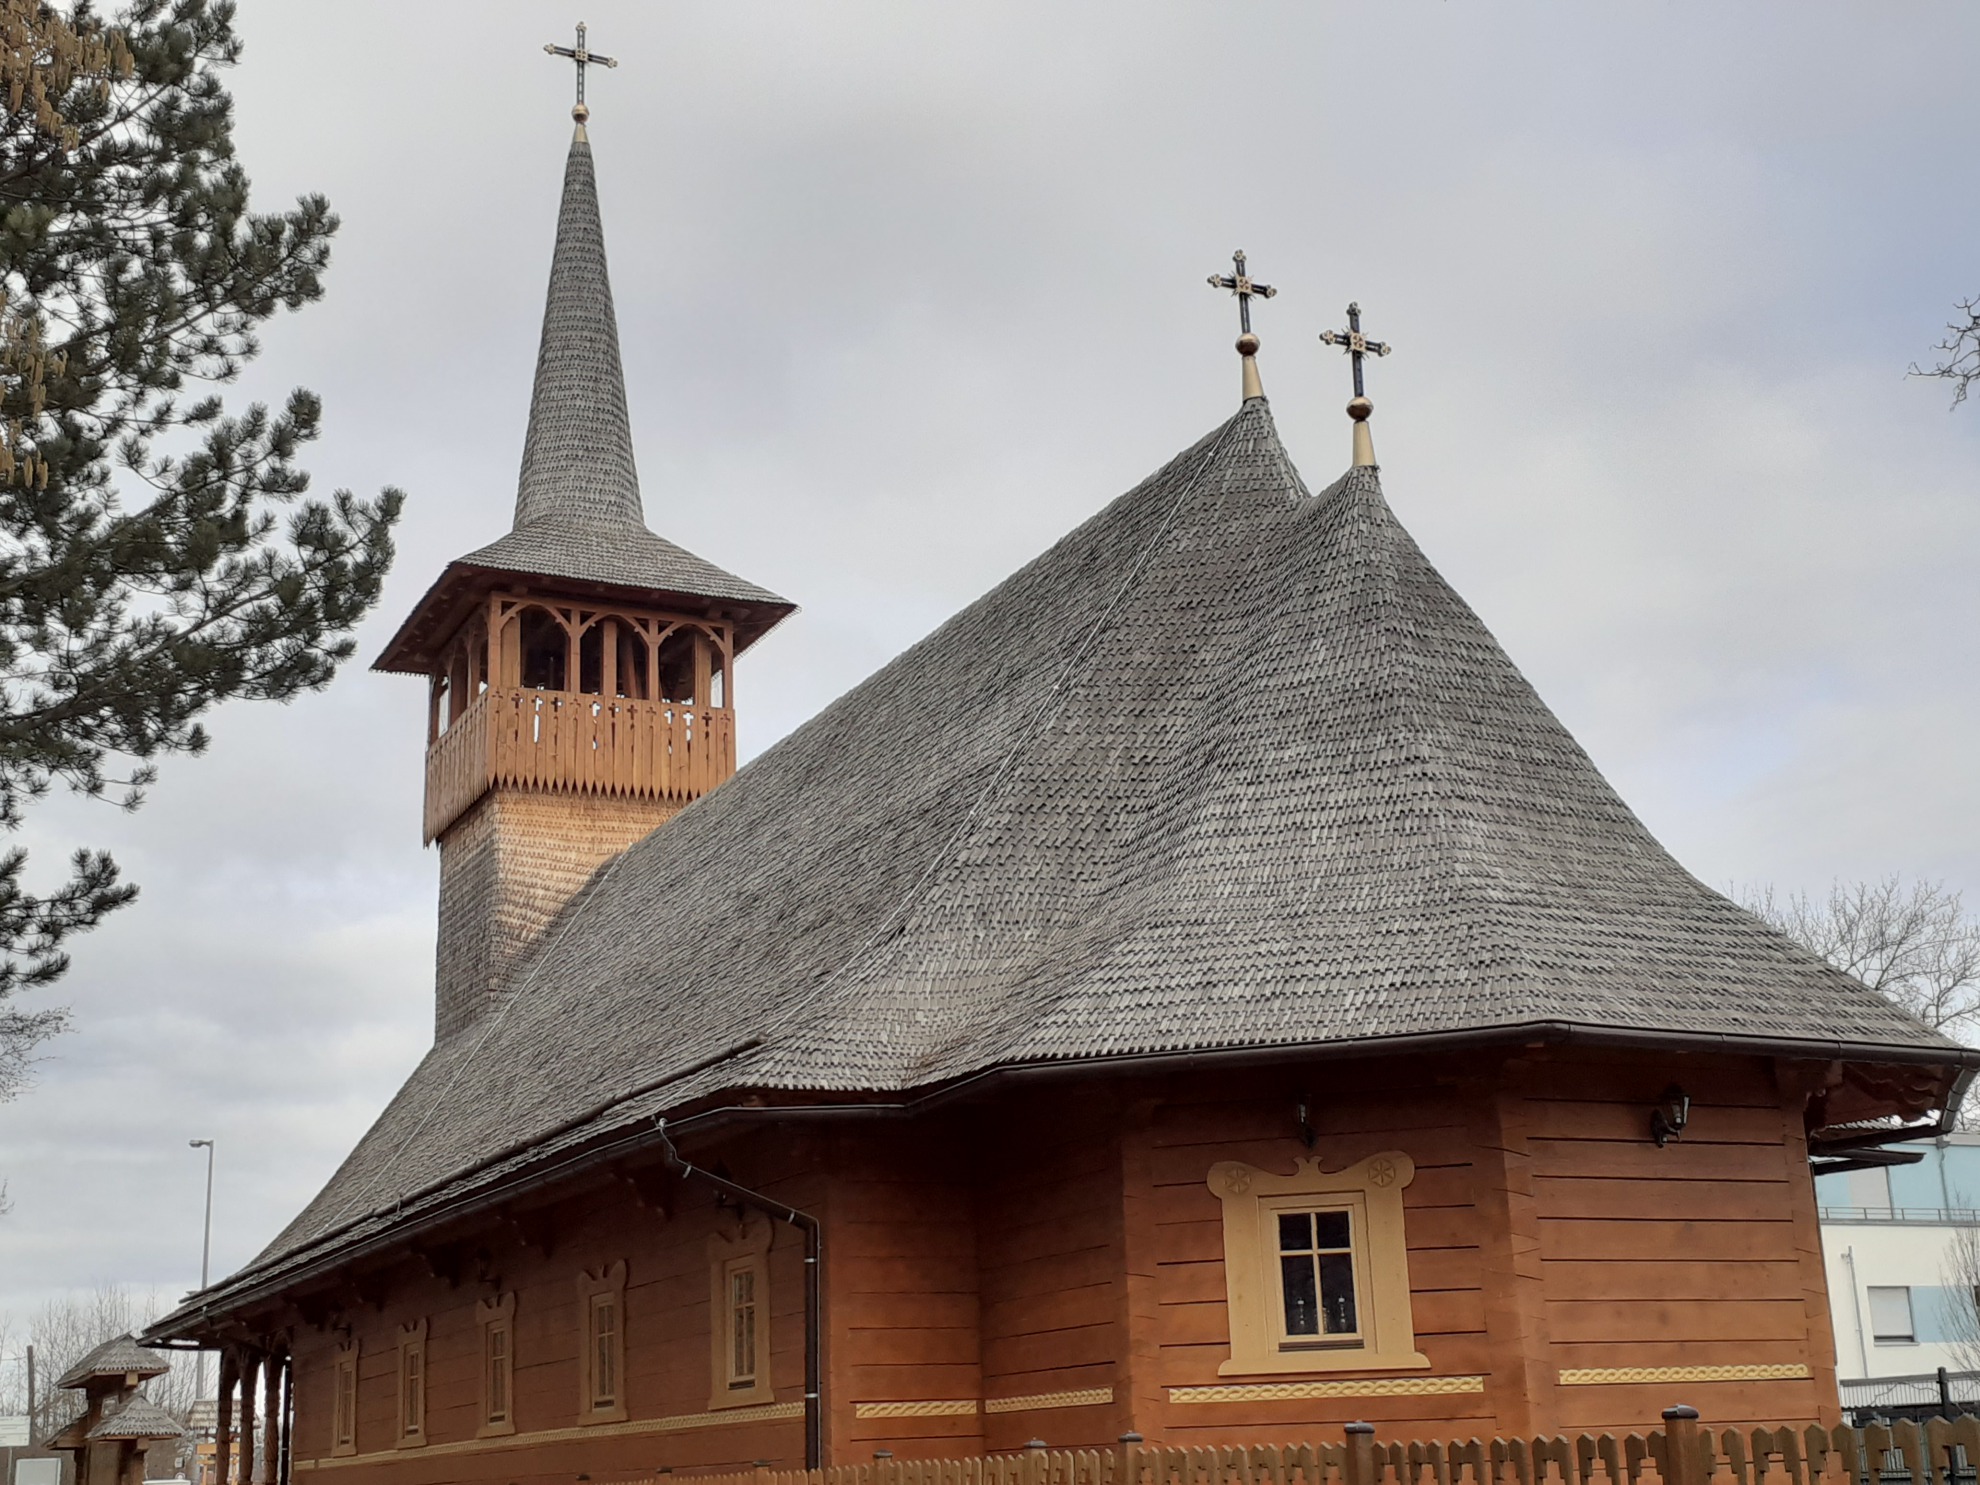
point(1937, 1452)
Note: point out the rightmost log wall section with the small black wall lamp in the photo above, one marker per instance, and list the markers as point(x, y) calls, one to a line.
point(1700, 1254)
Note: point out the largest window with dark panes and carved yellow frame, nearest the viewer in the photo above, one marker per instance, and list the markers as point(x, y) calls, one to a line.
point(1316, 1270)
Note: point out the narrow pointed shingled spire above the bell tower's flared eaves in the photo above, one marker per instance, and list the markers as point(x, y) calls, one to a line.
point(577, 458)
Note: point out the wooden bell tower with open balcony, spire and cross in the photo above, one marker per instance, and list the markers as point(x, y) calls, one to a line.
point(581, 670)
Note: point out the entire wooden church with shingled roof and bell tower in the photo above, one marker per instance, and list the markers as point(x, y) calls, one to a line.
point(1199, 993)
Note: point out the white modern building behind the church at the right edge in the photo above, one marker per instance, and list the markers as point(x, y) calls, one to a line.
point(1902, 1302)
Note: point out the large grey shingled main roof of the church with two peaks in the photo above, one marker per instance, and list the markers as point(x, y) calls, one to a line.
point(1231, 767)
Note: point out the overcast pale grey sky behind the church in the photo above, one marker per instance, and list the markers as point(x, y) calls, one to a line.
point(908, 292)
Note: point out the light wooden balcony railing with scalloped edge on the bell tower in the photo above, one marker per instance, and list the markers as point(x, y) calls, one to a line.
point(579, 743)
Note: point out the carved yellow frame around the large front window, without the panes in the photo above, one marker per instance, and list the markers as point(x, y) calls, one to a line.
point(1371, 1195)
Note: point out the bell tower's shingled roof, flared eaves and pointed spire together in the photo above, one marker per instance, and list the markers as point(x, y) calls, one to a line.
point(577, 502)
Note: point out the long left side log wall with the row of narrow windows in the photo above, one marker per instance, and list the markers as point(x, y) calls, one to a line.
point(662, 1235)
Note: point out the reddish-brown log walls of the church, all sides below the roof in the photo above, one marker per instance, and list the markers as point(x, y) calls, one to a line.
point(1048, 1264)
